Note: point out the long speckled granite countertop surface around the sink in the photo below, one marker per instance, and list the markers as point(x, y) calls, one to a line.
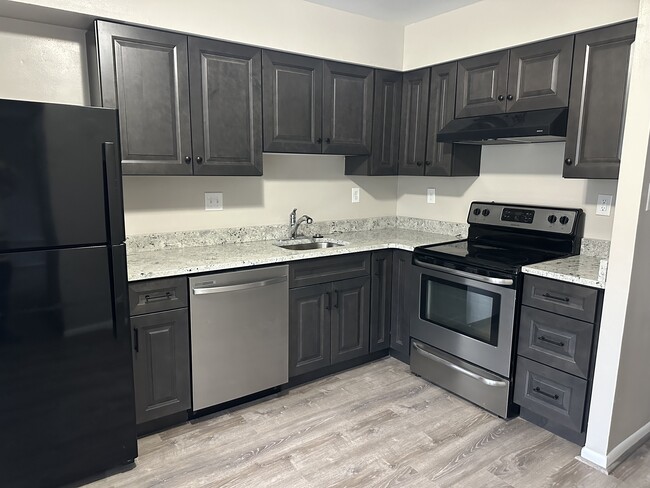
point(189, 260)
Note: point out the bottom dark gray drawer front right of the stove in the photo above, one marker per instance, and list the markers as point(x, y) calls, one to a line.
point(553, 394)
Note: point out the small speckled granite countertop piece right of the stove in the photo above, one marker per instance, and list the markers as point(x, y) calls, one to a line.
point(581, 269)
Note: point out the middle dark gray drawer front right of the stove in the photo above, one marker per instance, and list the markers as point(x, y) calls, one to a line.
point(557, 341)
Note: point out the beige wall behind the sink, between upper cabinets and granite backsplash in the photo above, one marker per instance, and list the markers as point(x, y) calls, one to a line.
point(314, 184)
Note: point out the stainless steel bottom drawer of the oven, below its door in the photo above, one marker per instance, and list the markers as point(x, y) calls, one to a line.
point(475, 384)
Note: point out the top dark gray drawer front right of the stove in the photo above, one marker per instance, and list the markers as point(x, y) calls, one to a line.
point(578, 302)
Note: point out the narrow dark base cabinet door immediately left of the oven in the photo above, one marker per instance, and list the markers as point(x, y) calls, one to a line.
point(405, 299)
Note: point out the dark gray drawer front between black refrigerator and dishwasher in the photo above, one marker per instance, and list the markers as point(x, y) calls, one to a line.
point(157, 295)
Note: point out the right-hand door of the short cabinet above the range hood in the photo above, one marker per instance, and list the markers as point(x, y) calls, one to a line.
point(539, 75)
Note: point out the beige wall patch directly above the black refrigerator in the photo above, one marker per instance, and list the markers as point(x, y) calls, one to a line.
point(42, 62)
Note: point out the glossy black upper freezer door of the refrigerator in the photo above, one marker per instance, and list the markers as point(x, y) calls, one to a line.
point(58, 176)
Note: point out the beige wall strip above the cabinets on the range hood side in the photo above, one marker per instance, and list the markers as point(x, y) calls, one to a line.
point(490, 25)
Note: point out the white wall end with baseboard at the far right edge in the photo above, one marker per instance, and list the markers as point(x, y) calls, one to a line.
point(620, 404)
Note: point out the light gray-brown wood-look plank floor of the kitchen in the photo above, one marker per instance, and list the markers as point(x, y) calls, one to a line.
point(374, 426)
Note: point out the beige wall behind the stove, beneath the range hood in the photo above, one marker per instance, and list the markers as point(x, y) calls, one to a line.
point(527, 173)
